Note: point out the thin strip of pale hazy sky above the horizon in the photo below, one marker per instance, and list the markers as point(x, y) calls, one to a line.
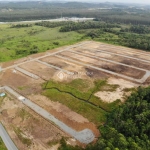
point(122, 1)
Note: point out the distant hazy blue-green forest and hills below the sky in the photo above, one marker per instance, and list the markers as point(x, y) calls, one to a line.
point(109, 12)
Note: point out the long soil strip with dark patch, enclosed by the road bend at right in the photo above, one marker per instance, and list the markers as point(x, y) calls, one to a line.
point(131, 72)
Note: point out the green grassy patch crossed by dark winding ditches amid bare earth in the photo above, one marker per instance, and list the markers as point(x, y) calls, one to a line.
point(78, 93)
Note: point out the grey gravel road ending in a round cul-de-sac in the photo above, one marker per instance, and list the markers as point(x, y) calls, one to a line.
point(85, 136)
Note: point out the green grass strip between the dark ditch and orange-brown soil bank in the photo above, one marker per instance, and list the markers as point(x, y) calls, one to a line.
point(94, 114)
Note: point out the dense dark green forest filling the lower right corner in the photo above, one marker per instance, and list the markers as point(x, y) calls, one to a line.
point(127, 127)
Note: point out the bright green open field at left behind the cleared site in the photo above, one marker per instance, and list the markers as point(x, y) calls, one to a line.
point(19, 42)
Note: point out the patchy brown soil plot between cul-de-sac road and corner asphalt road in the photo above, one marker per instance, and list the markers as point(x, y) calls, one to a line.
point(27, 129)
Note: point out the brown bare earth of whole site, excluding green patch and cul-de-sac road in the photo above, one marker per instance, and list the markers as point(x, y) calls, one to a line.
point(128, 68)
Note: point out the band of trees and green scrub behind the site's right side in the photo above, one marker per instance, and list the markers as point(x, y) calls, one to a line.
point(134, 36)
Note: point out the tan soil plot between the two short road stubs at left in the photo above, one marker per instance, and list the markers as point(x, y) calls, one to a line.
point(40, 70)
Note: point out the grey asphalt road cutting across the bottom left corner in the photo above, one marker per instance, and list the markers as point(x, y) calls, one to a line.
point(6, 139)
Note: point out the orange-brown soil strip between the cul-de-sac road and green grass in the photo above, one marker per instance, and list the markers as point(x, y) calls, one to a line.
point(63, 113)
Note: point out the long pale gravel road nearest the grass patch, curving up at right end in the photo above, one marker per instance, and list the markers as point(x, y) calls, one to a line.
point(107, 71)
